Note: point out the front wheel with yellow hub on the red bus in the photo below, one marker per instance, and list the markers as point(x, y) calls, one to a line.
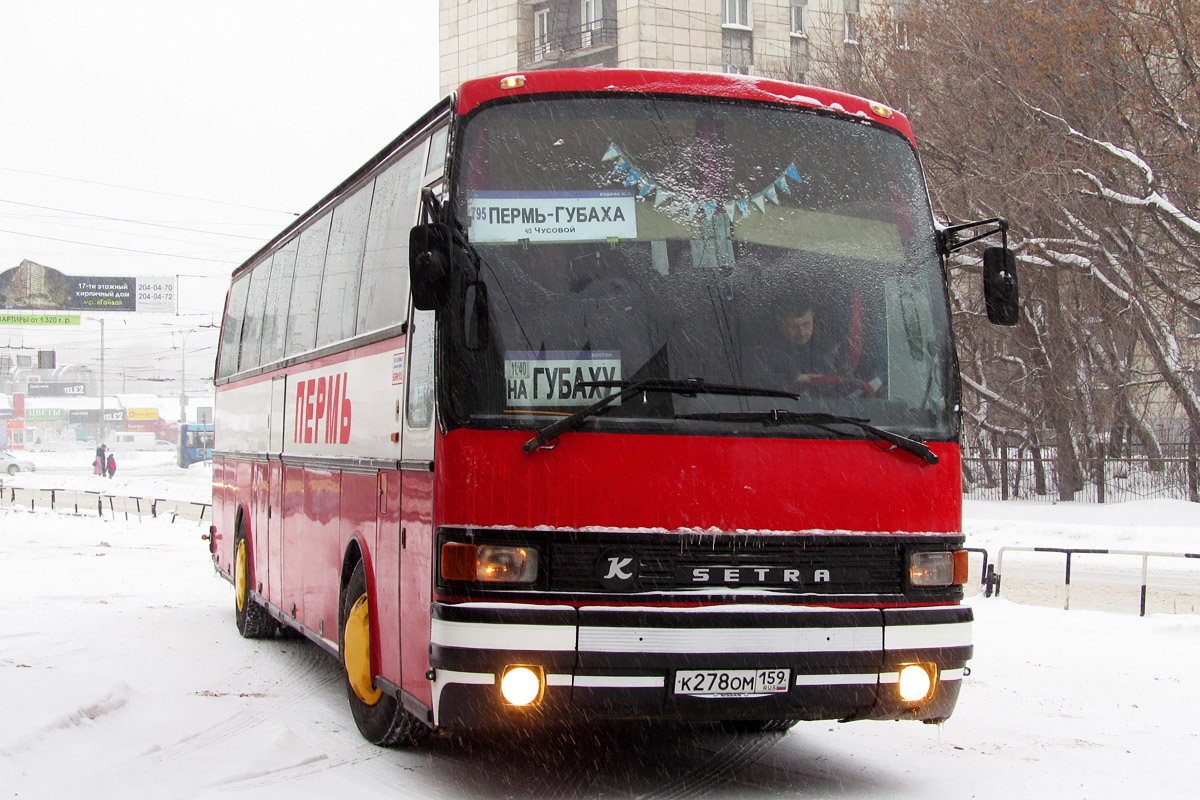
point(380, 718)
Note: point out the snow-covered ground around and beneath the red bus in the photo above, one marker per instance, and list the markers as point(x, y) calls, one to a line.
point(122, 676)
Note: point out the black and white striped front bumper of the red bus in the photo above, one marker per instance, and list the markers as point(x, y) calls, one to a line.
point(620, 663)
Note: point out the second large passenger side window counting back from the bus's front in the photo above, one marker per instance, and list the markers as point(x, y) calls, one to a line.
point(340, 286)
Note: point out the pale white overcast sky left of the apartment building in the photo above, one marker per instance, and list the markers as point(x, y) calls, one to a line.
point(169, 139)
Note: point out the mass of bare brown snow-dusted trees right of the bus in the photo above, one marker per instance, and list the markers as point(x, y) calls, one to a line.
point(1079, 122)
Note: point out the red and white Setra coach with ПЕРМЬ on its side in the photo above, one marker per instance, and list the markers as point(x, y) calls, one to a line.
point(609, 395)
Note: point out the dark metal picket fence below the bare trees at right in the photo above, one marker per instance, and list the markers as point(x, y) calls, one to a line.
point(1028, 474)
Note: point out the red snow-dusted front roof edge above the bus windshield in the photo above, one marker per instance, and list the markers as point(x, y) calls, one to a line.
point(670, 82)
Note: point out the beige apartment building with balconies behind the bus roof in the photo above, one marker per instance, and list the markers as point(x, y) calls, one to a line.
point(793, 39)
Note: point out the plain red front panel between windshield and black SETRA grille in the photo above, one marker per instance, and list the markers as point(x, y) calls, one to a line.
point(695, 484)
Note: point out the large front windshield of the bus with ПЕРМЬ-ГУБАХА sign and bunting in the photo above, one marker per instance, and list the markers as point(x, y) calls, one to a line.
point(616, 240)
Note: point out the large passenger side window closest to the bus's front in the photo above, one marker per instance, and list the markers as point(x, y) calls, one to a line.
point(385, 291)
